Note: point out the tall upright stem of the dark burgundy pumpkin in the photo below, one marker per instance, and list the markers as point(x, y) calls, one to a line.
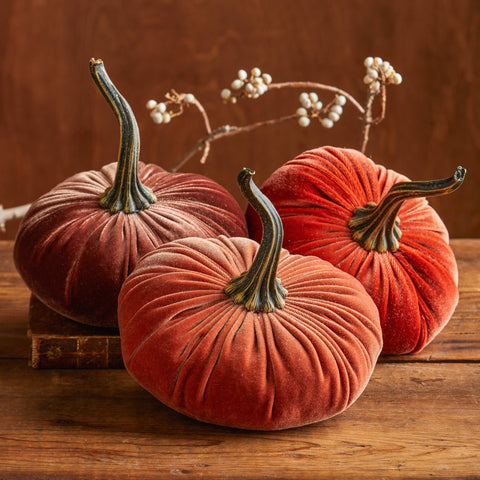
point(127, 194)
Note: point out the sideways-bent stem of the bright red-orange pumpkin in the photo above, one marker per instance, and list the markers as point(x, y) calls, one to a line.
point(376, 227)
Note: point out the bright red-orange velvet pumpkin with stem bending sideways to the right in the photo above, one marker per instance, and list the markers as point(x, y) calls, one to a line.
point(375, 224)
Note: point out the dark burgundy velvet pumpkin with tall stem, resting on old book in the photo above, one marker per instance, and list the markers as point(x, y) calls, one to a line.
point(78, 242)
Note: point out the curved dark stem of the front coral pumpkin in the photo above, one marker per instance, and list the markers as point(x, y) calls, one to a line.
point(259, 289)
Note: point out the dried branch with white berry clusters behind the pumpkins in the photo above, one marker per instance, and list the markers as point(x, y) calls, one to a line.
point(379, 74)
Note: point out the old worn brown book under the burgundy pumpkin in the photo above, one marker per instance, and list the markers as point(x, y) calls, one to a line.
point(57, 342)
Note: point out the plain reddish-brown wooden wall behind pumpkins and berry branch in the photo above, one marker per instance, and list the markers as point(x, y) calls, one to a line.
point(54, 122)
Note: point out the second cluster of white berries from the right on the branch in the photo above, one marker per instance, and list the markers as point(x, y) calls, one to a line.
point(312, 107)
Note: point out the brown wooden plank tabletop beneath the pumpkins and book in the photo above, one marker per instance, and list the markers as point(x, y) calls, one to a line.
point(419, 417)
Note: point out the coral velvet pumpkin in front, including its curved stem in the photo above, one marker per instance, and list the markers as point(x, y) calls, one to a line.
point(209, 329)
